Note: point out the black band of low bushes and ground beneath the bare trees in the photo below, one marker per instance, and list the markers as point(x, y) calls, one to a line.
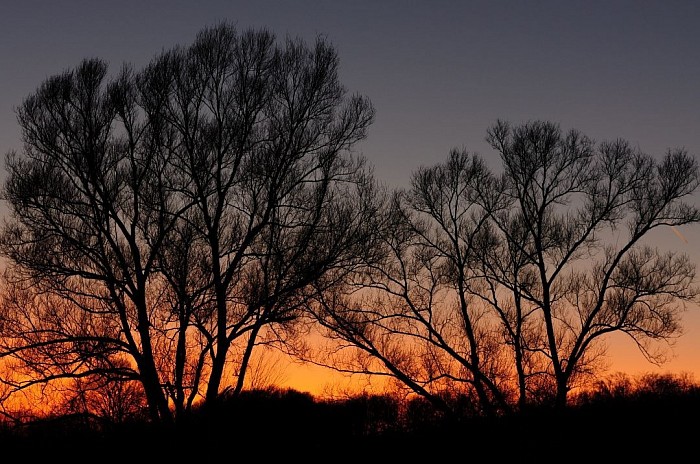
point(651, 417)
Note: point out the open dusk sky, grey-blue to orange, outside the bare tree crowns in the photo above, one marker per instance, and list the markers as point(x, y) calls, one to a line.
point(438, 72)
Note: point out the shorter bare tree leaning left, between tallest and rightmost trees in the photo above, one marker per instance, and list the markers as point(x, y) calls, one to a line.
point(413, 317)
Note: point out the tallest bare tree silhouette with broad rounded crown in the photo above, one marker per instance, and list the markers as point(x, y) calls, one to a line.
point(260, 136)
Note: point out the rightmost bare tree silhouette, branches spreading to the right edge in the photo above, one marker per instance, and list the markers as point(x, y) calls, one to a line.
point(576, 256)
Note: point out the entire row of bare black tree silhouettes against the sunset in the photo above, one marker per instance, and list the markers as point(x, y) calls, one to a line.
point(169, 225)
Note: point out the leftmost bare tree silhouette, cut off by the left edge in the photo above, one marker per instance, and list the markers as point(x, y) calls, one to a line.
point(87, 220)
